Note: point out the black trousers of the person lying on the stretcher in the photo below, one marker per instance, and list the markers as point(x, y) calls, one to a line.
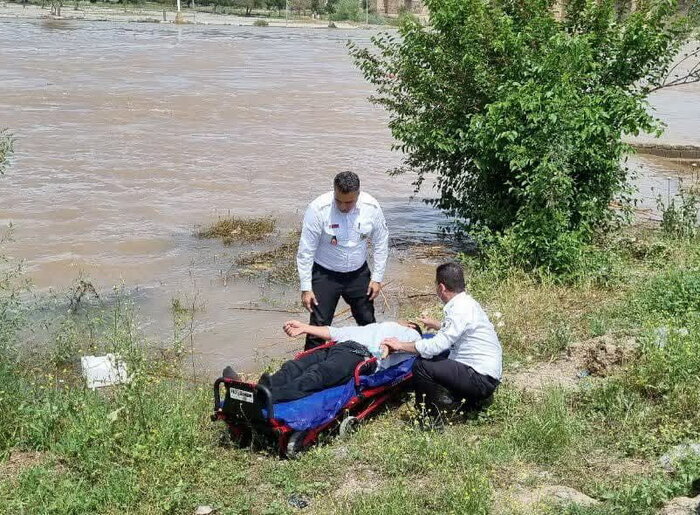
point(316, 371)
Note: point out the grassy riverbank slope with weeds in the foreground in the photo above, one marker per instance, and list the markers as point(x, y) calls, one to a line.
point(150, 448)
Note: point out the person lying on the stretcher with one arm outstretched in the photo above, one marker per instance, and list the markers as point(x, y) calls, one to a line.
point(325, 368)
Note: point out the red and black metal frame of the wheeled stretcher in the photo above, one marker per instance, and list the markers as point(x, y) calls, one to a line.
point(248, 411)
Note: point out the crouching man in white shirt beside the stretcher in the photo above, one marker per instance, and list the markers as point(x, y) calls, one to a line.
point(461, 365)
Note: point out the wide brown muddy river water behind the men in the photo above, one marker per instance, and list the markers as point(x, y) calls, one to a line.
point(129, 136)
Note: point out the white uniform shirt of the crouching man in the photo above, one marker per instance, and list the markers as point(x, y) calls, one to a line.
point(469, 335)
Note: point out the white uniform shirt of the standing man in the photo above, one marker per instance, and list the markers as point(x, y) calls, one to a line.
point(338, 241)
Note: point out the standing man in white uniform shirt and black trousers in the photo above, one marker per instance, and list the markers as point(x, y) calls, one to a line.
point(332, 257)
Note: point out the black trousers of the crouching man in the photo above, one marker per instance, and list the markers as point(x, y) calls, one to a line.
point(446, 385)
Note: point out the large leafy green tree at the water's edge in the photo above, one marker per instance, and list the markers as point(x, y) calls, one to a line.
point(520, 115)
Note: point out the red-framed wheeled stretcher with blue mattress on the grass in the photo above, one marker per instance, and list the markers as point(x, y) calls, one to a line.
point(294, 426)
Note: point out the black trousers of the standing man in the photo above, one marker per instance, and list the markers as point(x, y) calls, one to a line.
point(329, 286)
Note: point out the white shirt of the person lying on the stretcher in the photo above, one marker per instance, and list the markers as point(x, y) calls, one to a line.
point(371, 336)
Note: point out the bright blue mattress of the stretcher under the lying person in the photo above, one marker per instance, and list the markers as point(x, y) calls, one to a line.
point(318, 408)
